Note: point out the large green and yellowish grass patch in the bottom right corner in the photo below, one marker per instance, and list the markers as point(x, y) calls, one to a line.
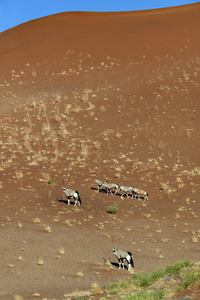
point(156, 285)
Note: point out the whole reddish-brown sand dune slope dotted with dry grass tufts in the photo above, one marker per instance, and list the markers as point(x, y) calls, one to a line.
point(107, 95)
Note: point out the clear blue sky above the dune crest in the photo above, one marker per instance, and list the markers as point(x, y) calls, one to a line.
point(15, 12)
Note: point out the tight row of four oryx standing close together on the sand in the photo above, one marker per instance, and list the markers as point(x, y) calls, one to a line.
point(109, 187)
